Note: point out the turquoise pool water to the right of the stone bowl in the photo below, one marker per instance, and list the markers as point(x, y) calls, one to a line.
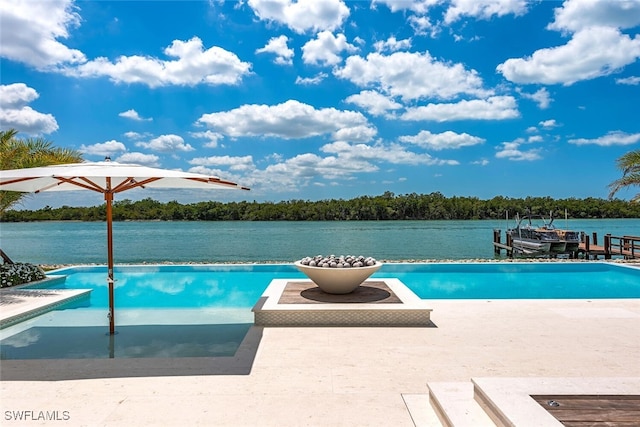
point(519, 280)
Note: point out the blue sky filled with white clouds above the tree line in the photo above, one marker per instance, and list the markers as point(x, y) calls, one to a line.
point(332, 99)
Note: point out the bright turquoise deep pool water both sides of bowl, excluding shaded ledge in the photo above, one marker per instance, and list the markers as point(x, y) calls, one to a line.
point(241, 285)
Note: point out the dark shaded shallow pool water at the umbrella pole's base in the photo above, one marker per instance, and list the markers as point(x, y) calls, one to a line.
point(134, 341)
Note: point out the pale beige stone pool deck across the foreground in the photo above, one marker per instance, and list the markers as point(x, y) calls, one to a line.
point(351, 376)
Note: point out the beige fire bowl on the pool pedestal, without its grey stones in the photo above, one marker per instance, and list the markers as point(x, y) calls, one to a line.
point(338, 280)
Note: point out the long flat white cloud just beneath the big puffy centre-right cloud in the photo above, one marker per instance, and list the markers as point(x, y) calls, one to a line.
point(494, 108)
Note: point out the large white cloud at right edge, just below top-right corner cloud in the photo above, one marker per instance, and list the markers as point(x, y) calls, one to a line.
point(591, 53)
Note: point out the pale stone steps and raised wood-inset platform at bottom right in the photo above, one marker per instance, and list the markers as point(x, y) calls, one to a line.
point(504, 401)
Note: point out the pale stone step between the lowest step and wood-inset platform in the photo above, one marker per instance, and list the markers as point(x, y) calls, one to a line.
point(455, 406)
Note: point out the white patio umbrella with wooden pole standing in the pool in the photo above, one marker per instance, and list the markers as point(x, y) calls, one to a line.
point(108, 178)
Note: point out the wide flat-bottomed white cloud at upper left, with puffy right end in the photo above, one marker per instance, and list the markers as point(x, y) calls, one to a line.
point(193, 66)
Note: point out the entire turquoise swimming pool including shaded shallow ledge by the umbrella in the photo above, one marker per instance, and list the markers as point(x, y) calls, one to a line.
point(205, 310)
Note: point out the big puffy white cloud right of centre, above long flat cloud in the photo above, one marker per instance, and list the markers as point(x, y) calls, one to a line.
point(411, 76)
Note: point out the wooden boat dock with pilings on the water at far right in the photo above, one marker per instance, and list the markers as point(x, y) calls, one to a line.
point(626, 246)
